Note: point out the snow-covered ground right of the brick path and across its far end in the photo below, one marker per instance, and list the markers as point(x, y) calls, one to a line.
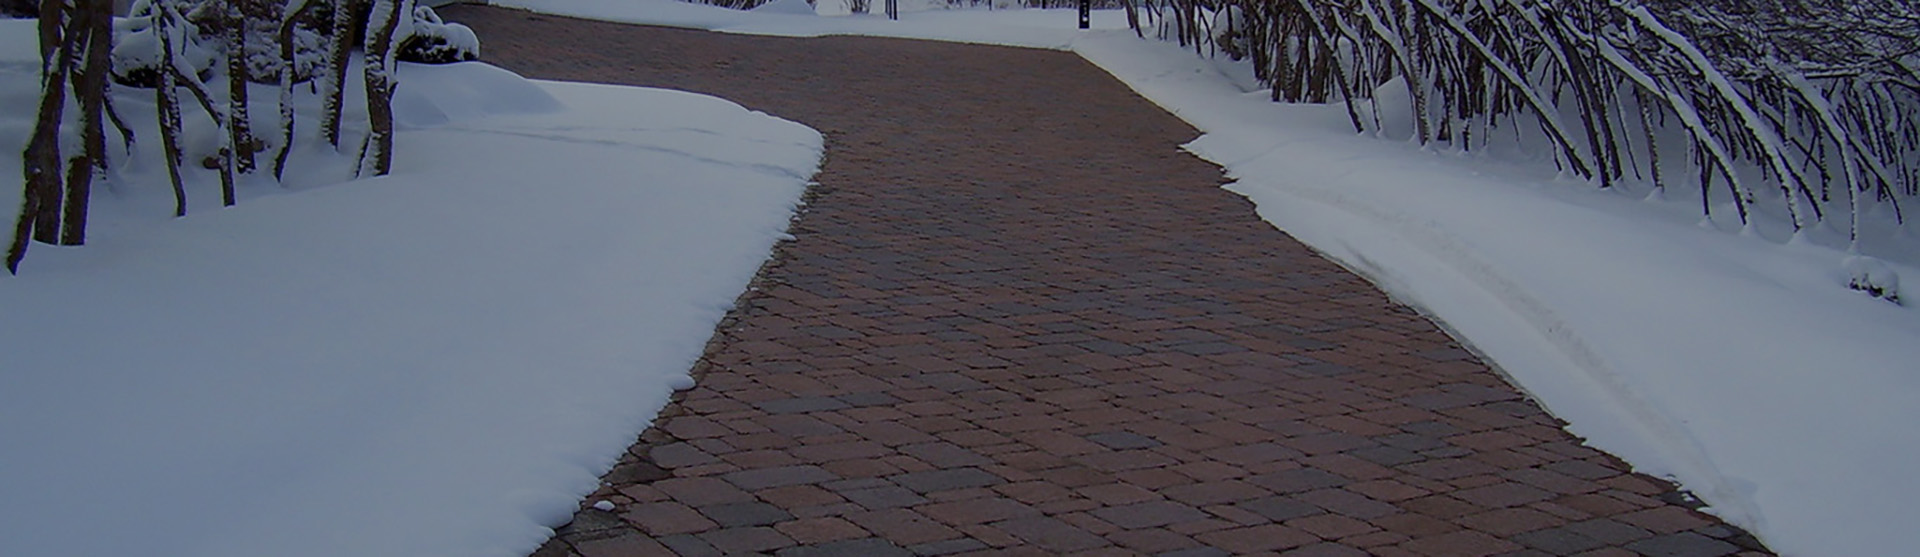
point(1735, 364)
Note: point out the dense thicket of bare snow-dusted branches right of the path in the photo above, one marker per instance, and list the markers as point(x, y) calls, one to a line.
point(1810, 107)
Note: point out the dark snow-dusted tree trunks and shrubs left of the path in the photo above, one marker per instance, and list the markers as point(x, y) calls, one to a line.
point(212, 51)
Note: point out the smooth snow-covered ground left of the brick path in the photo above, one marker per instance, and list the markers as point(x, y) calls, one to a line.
point(441, 362)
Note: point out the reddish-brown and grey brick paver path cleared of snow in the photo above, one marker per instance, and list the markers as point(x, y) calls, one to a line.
point(1019, 320)
